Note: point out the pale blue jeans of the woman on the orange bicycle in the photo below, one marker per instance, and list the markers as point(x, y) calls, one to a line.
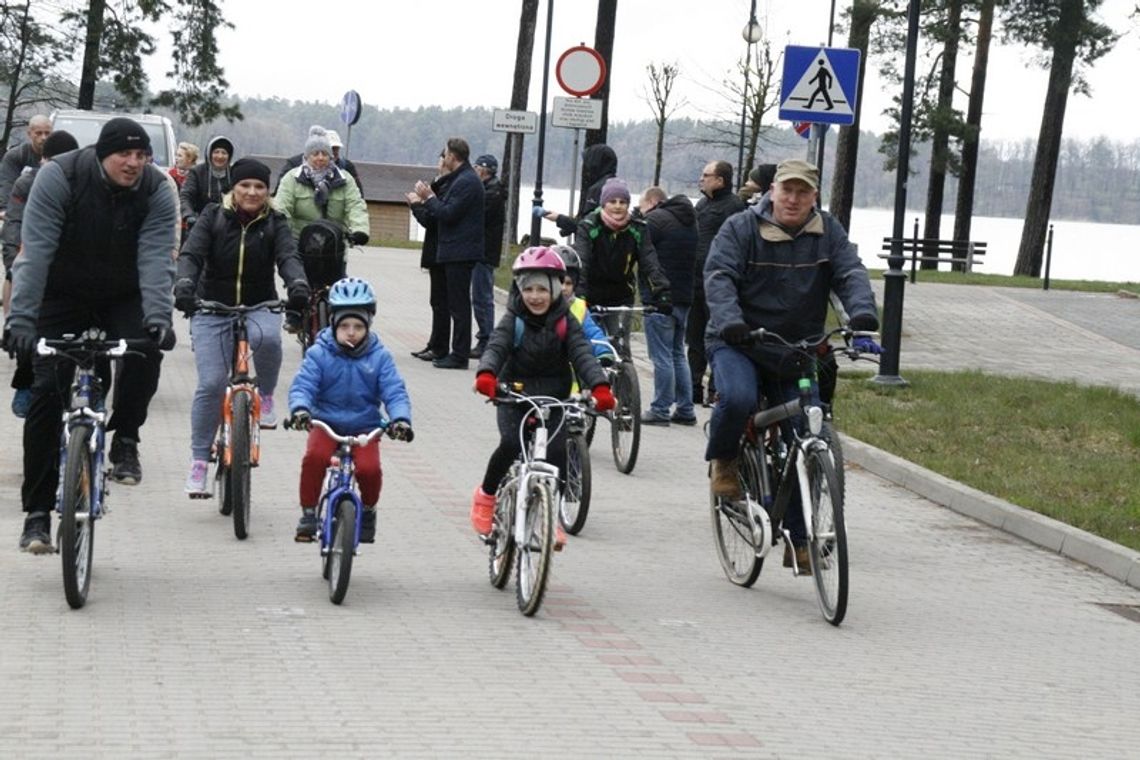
point(213, 340)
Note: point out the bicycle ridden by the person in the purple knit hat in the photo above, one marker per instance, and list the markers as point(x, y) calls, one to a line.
point(625, 419)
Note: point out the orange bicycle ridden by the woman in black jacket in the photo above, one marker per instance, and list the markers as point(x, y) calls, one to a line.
point(238, 444)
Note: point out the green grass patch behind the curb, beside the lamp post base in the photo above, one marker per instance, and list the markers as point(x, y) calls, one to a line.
point(1064, 451)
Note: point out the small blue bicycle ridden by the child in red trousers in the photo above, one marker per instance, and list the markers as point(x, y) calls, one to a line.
point(340, 509)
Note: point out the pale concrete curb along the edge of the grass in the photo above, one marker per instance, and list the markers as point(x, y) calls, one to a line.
point(1111, 559)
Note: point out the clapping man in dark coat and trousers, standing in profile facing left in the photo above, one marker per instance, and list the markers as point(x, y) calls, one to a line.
point(459, 215)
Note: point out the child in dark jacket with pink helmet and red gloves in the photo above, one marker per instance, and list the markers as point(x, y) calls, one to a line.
point(541, 357)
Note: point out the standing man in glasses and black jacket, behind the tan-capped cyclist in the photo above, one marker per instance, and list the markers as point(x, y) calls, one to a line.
point(719, 205)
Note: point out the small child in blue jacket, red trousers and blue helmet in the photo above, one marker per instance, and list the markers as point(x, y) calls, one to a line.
point(344, 380)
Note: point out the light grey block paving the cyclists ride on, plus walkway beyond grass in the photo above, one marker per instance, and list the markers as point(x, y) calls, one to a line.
point(960, 641)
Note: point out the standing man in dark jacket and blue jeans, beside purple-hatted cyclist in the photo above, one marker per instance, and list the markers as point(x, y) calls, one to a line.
point(673, 231)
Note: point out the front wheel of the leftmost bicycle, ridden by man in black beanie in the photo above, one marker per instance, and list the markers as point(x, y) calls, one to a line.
point(77, 526)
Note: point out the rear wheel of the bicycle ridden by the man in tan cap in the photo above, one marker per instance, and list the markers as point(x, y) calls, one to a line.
point(732, 530)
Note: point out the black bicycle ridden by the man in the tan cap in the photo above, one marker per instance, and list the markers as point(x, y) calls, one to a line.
point(777, 460)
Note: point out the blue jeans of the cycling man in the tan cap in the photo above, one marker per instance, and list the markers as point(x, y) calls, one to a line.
point(737, 381)
